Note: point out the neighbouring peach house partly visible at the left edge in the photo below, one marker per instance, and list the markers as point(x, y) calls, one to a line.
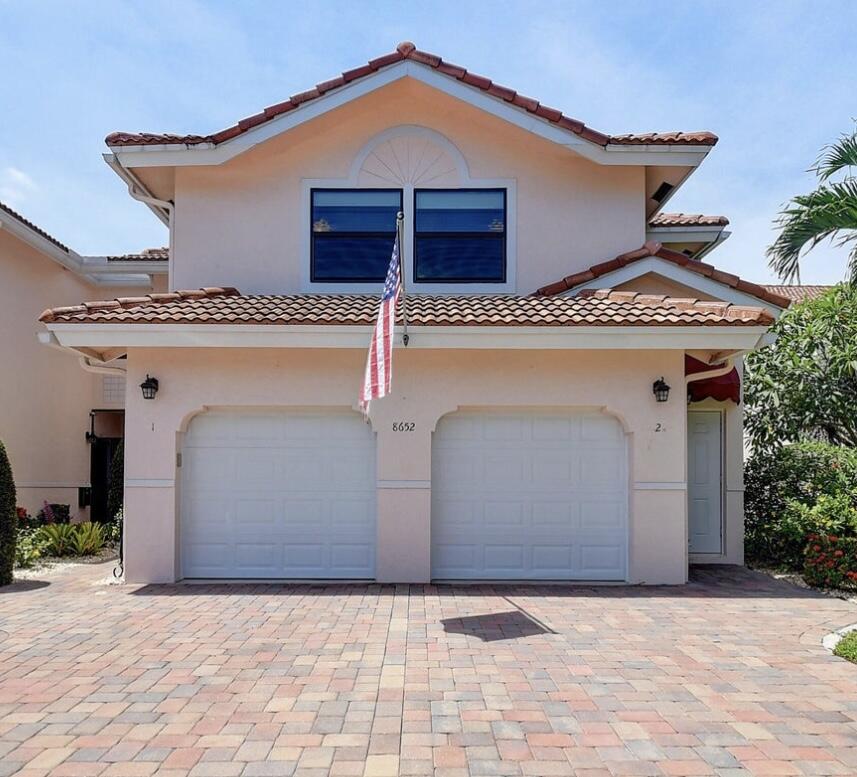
point(61, 413)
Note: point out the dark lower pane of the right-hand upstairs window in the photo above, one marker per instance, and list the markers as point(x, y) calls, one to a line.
point(460, 258)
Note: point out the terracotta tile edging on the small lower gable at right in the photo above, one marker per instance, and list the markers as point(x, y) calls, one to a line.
point(653, 248)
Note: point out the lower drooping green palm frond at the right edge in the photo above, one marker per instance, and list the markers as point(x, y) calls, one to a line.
point(828, 212)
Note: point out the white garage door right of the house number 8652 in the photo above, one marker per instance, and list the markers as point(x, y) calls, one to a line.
point(530, 495)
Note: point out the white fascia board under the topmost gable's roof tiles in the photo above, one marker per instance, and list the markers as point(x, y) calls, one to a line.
point(165, 155)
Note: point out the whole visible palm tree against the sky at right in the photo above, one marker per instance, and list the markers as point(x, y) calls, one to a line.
point(828, 212)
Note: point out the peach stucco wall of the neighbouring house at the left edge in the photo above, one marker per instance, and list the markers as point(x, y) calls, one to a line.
point(45, 396)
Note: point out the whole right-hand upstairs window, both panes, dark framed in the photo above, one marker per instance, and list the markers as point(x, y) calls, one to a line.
point(460, 235)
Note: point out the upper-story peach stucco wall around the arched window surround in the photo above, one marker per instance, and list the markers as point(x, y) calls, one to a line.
point(241, 223)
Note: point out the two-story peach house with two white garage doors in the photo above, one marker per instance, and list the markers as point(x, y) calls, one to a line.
point(539, 426)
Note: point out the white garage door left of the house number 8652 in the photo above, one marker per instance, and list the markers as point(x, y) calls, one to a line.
point(278, 495)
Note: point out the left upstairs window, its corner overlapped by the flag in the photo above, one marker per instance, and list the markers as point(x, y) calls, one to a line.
point(352, 234)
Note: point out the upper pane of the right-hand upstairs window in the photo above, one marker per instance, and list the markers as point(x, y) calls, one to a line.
point(460, 211)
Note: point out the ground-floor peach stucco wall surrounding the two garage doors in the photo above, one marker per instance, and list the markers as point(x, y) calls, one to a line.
point(428, 385)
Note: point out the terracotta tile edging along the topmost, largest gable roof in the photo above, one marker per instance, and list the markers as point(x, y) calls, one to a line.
point(407, 51)
